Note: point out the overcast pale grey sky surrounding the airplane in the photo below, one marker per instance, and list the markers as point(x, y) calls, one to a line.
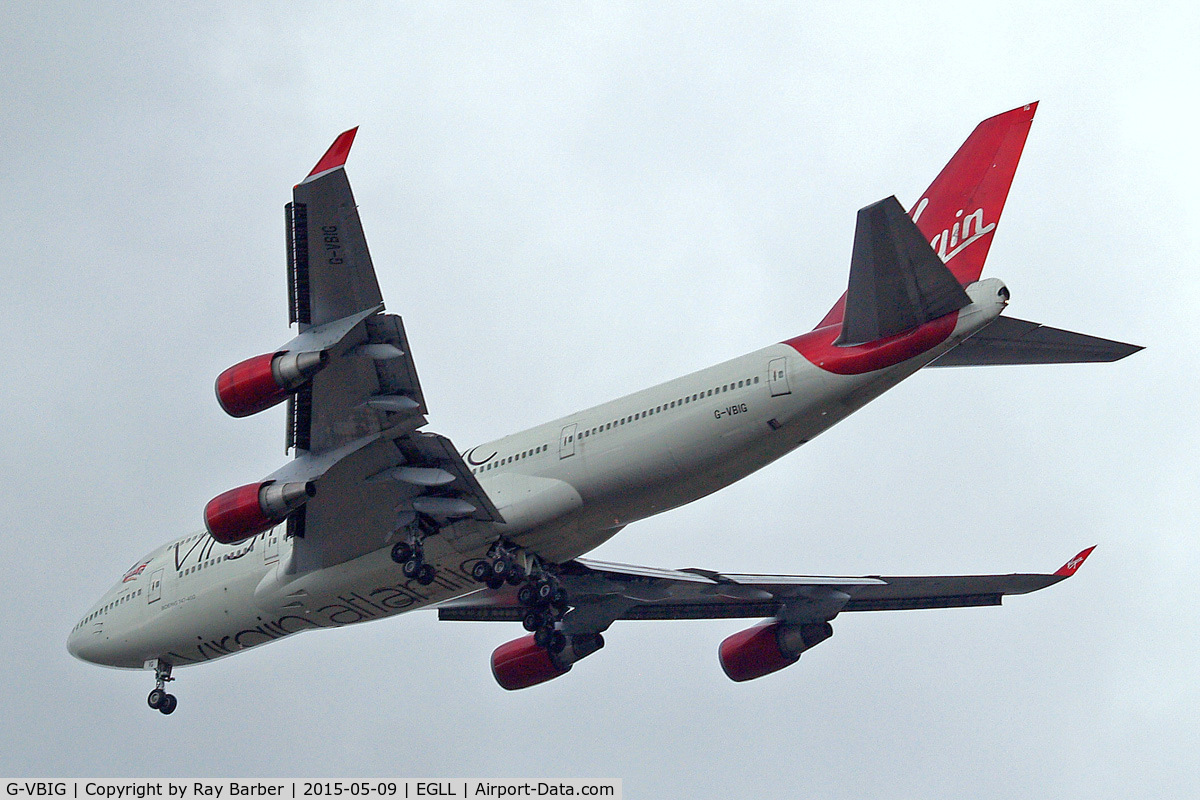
point(569, 202)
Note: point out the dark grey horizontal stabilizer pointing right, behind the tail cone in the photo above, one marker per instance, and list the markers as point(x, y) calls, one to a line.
point(1017, 341)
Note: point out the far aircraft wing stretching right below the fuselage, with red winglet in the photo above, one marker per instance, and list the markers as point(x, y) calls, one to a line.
point(601, 594)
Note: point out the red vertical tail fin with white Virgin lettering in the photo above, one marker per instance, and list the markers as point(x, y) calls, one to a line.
point(959, 212)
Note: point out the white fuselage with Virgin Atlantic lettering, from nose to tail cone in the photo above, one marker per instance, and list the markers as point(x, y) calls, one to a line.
point(563, 489)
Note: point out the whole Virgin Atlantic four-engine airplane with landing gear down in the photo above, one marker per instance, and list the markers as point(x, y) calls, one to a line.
point(376, 516)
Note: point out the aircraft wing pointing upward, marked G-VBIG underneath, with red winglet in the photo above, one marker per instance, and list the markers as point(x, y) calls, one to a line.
point(356, 424)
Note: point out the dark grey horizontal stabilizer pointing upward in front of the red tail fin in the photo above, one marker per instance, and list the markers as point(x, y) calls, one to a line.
point(897, 281)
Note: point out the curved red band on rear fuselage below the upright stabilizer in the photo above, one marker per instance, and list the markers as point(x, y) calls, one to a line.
point(819, 347)
